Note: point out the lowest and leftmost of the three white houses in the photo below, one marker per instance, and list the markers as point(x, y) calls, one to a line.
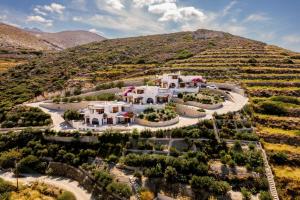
point(108, 113)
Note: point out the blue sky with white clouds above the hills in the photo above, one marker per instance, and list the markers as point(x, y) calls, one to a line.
point(272, 21)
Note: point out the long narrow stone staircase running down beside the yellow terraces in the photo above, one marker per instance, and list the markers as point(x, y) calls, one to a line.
point(269, 174)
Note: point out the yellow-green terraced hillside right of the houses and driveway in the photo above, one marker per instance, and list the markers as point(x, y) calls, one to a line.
point(272, 79)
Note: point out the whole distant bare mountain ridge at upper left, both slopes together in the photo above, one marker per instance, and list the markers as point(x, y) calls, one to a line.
point(14, 38)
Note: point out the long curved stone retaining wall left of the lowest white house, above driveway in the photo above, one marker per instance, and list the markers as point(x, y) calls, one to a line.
point(65, 106)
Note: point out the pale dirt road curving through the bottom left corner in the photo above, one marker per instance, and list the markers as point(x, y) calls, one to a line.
point(60, 182)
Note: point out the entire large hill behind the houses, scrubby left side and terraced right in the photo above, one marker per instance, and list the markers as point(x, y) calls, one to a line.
point(270, 75)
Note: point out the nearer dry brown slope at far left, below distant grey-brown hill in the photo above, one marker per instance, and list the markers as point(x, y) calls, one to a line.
point(13, 38)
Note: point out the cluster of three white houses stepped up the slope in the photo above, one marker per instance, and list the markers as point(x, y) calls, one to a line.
point(137, 99)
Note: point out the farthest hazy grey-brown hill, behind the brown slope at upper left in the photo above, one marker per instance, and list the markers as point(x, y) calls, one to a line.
point(67, 39)
